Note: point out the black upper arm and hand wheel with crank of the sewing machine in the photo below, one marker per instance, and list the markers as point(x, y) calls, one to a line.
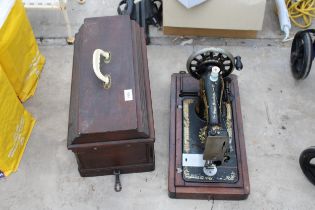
point(200, 65)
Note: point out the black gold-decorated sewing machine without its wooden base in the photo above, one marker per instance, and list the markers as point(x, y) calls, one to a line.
point(207, 117)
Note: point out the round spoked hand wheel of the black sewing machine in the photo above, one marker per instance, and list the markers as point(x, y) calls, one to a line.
point(198, 62)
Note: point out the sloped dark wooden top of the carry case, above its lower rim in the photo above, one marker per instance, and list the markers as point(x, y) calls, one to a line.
point(97, 114)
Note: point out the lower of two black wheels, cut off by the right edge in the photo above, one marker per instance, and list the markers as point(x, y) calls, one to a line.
point(307, 163)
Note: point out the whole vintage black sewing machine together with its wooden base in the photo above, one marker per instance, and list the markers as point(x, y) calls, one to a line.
point(207, 150)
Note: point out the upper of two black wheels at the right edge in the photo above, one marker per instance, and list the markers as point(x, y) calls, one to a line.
point(301, 55)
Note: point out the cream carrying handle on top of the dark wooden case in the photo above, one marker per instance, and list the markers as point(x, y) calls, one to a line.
point(105, 78)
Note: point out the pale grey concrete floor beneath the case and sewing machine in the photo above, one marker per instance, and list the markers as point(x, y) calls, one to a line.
point(278, 115)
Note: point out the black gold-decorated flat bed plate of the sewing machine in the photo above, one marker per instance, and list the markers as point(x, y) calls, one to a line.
point(193, 129)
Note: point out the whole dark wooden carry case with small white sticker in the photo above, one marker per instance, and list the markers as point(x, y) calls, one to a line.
point(111, 129)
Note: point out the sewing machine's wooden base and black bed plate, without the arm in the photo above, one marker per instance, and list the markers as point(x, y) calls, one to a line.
point(231, 181)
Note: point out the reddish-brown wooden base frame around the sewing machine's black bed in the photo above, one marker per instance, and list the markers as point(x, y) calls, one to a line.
point(177, 186)
